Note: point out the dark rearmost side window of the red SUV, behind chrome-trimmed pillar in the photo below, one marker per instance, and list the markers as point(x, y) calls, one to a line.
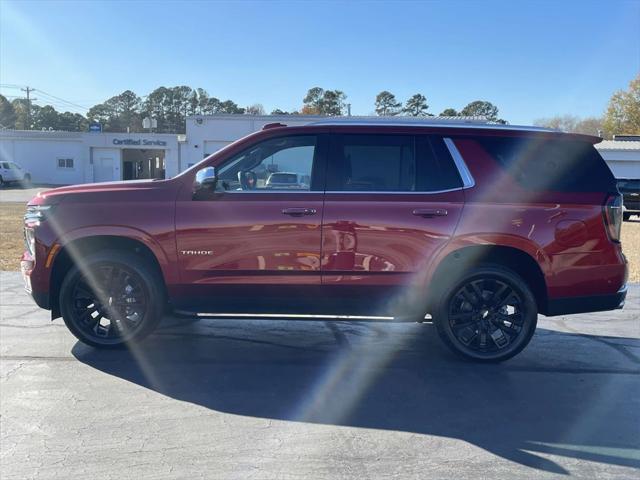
point(541, 164)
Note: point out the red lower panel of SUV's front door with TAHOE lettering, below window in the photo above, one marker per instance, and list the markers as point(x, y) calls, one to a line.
point(251, 240)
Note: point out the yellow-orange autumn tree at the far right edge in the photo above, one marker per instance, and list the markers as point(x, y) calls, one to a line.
point(623, 113)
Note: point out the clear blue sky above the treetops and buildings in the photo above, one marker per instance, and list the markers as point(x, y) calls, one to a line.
point(531, 58)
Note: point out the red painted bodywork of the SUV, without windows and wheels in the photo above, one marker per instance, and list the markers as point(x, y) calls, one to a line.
point(352, 240)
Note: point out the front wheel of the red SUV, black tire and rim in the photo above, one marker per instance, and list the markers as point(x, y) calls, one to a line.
point(112, 299)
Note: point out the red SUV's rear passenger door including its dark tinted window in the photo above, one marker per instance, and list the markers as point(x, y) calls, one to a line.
point(392, 202)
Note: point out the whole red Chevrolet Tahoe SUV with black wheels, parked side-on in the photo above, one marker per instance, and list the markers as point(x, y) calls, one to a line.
point(481, 227)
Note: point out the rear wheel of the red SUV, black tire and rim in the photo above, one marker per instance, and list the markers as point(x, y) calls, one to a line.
point(488, 314)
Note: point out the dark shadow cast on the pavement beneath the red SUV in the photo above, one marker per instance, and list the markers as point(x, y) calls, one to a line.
point(399, 378)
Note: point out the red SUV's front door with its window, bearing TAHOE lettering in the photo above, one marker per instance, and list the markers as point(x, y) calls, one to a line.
point(254, 235)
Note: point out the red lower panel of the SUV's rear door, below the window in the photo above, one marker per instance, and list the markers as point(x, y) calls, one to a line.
point(375, 239)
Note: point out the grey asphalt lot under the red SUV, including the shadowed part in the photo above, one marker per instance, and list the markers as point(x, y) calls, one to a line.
point(276, 399)
